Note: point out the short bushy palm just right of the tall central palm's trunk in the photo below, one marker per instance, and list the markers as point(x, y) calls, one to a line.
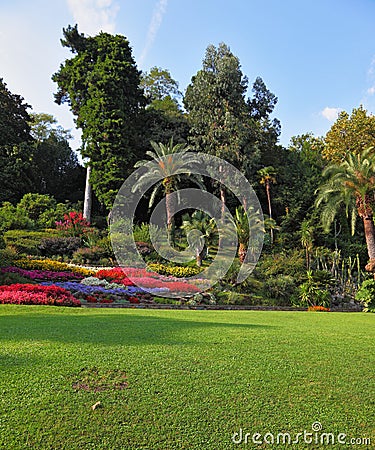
point(201, 231)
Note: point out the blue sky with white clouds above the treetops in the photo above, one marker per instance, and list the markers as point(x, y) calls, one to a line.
point(316, 56)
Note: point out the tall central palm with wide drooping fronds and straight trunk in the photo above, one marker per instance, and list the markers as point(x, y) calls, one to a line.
point(170, 161)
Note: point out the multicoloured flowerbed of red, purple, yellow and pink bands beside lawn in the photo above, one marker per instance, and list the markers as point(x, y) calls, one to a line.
point(65, 285)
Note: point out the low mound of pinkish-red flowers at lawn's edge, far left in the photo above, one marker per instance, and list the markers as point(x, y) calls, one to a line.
point(30, 294)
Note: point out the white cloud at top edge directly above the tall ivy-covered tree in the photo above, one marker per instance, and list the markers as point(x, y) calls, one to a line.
point(94, 16)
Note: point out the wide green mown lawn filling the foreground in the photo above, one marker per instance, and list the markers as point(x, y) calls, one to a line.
point(193, 378)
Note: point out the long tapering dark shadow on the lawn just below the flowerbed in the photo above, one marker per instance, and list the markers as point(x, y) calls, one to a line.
point(111, 329)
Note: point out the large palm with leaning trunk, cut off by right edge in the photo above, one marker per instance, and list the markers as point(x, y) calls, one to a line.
point(352, 184)
